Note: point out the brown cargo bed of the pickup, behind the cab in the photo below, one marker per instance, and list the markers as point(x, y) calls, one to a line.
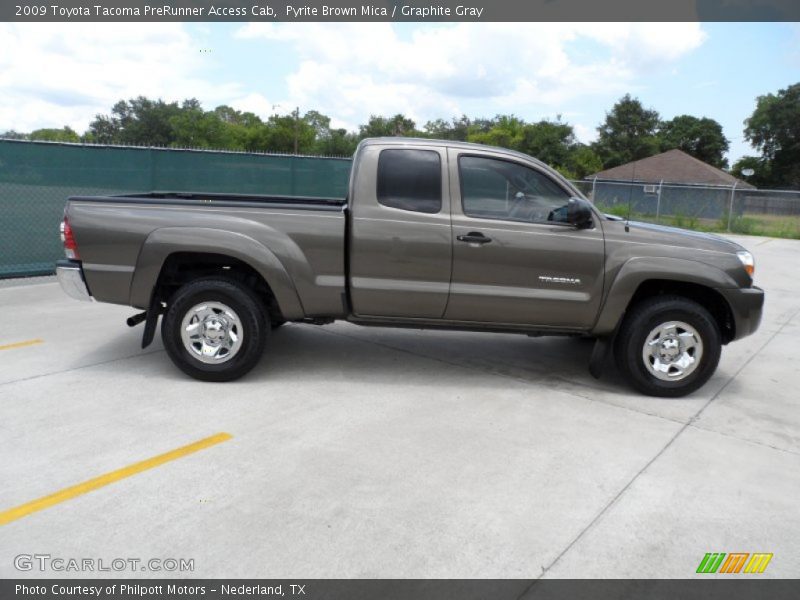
point(124, 240)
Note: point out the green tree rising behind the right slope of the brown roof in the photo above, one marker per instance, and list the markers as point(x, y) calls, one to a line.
point(701, 138)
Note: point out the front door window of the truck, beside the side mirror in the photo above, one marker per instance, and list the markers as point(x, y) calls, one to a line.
point(499, 189)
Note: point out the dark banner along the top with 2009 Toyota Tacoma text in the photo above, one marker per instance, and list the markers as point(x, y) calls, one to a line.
point(400, 10)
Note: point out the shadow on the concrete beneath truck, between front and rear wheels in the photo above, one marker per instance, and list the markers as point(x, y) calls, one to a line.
point(348, 353)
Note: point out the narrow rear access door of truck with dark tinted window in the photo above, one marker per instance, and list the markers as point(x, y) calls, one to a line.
point(400, 238)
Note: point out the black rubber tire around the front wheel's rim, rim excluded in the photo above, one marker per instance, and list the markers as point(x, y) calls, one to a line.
point(642, 319)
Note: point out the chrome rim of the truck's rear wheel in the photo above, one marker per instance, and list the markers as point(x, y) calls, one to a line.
point(212, 332)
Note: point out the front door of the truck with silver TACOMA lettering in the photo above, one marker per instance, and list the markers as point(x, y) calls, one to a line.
point(515, 259)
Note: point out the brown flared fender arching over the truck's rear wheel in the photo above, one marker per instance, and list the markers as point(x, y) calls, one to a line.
point(168, 240)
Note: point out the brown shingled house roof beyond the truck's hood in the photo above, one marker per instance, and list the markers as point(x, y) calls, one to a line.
point(673, 166)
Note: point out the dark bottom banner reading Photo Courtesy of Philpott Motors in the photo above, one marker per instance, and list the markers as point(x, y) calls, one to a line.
point(750, 587)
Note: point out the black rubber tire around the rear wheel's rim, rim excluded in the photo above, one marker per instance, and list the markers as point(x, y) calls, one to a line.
point(252, 319)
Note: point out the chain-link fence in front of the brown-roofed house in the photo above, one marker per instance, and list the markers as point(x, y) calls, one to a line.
point(774, 213)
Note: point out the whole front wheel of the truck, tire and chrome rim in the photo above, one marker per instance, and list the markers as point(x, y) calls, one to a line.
point(668, 346)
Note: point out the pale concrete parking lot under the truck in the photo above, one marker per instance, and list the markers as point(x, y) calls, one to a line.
point(359, 452)
